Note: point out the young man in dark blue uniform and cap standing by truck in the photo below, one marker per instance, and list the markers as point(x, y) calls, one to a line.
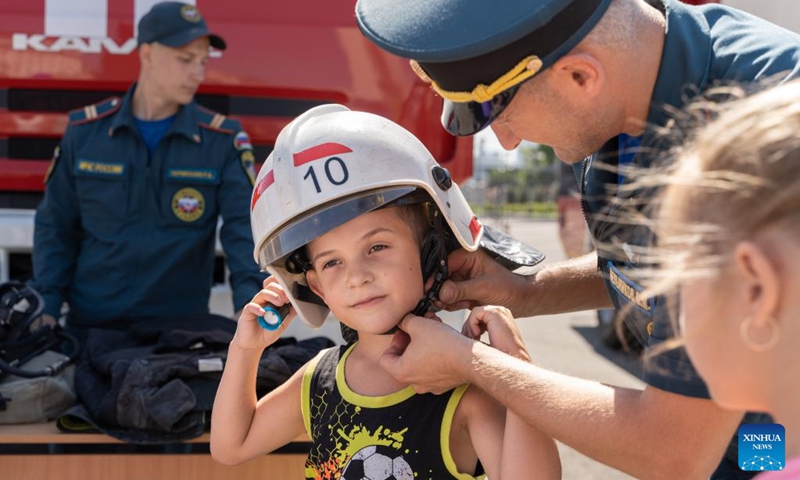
point(127, 227)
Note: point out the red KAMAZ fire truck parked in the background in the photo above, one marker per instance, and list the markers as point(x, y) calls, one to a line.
point(283, 57)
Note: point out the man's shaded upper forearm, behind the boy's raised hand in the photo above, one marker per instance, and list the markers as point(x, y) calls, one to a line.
point(570, 286)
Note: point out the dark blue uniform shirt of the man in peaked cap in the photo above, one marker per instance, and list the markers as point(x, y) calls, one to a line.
point(705, 46)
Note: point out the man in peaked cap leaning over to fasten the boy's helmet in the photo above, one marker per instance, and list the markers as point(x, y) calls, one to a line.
point(594, 79)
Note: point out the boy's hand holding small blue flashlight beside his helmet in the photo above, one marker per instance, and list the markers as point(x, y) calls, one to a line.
point(249, 334)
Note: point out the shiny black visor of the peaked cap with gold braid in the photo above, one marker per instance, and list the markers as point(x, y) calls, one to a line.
point(469, 118)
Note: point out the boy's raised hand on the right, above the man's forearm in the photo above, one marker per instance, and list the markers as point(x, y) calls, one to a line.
point(504, 334)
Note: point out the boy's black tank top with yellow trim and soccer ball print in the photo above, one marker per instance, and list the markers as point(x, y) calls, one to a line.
point(402, 436)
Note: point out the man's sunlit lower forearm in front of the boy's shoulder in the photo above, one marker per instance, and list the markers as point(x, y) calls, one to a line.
point(619, 427)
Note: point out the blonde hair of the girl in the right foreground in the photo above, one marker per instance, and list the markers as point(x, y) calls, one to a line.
point(737, 176)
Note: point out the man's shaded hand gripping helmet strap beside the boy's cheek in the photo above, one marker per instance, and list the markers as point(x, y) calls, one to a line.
point(476, 279)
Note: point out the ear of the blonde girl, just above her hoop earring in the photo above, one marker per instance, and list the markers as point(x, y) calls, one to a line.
point(762, 288)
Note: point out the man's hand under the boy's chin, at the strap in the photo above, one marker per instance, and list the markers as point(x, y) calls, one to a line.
point(428, 355)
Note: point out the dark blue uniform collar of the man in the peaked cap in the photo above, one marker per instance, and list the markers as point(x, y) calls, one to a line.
point(684, 61)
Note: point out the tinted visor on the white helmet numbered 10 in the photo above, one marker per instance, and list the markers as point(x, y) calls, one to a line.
point(299, 232)
